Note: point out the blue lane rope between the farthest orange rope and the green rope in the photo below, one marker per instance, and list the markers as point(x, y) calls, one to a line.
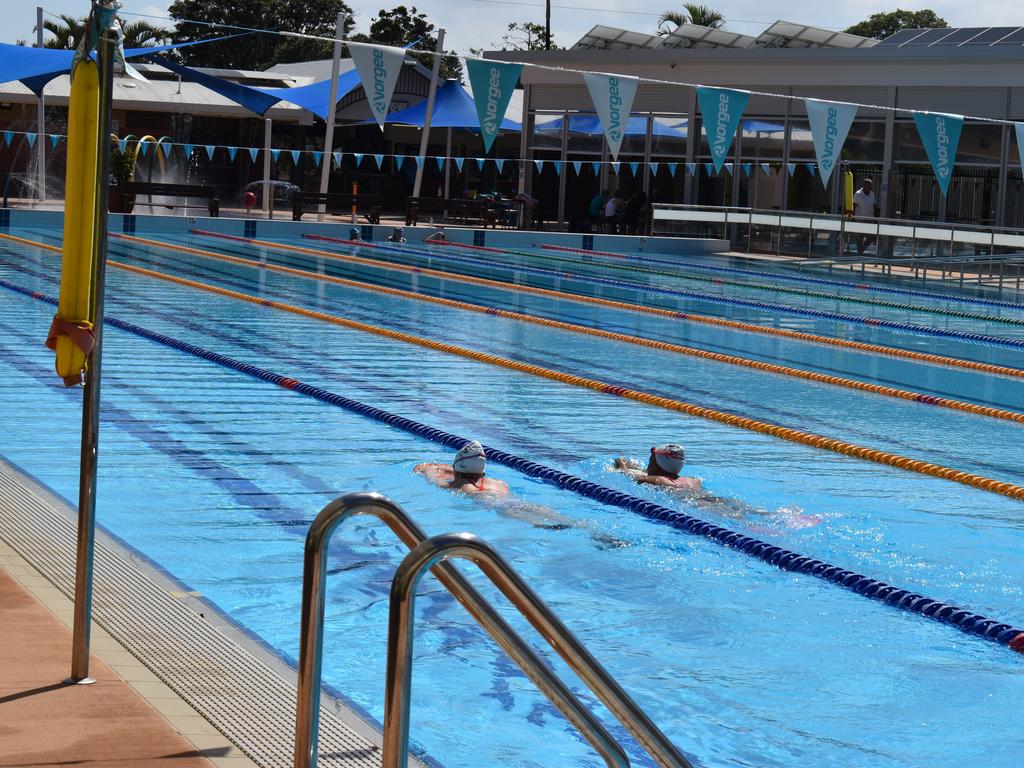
point(891, 325)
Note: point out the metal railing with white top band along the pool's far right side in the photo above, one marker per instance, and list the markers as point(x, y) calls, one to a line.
point(968, 253)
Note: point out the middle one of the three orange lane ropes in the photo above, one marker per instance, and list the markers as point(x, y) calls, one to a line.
point(928, 400)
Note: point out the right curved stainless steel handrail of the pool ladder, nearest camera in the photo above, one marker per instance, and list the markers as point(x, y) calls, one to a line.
point(400, 650)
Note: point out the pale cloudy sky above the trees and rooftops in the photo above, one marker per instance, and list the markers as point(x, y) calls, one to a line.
point(481, 24)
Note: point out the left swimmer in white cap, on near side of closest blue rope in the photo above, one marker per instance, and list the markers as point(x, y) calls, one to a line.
point(467, 476)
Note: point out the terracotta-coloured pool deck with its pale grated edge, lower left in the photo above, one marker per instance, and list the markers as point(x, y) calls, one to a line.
point(179, 684)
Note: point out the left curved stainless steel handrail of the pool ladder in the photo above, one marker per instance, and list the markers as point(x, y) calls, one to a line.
point(312, 632)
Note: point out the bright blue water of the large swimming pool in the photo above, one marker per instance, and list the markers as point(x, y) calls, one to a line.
point(741, 663)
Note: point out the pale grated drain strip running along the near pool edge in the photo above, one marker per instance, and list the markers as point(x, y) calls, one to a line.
point(244, 697)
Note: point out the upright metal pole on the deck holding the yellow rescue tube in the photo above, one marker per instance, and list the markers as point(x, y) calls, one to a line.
point(91, 409)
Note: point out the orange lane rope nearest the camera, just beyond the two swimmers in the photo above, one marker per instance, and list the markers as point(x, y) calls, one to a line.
point(742, 422)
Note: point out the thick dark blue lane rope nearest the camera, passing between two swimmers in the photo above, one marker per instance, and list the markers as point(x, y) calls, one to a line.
point(972, 624)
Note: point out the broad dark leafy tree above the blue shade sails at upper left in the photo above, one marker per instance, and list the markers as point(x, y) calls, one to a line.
point(257, 52)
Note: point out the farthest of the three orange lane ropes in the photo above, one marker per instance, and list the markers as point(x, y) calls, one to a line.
point(938, 360)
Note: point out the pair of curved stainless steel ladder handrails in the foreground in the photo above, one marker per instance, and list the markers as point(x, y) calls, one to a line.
point(431, 554)
